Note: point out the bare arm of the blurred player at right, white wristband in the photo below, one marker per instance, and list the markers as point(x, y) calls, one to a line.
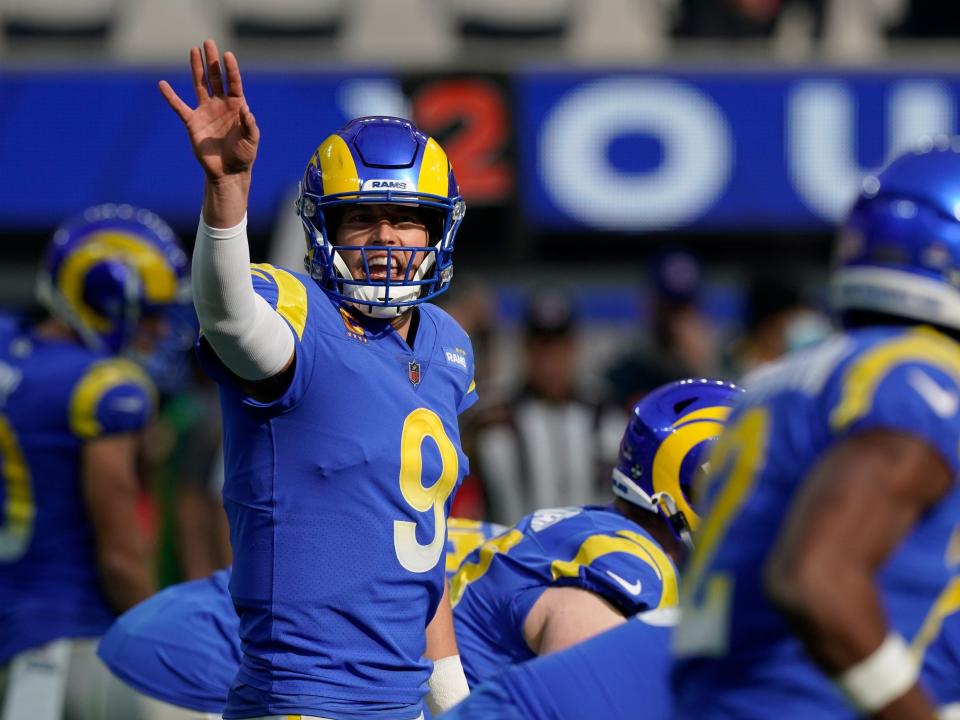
point(854, 509)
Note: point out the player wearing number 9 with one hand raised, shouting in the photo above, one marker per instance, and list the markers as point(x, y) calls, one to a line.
point(340, 393)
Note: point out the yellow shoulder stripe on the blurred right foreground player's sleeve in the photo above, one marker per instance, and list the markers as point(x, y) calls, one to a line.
point(864, 375)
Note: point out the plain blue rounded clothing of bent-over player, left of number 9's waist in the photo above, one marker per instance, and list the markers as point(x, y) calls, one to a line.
point(180, 646)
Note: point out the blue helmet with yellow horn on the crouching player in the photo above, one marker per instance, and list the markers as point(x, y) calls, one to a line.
point(664, 448)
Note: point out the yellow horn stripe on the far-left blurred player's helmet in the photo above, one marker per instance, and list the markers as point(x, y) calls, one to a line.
point(156, 274)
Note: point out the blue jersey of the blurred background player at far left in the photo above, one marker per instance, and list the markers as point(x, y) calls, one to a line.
point(55, 396)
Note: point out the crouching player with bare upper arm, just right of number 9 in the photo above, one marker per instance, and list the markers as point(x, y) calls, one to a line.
point(563, 575)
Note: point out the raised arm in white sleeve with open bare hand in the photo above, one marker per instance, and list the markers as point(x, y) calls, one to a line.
point(252, 340)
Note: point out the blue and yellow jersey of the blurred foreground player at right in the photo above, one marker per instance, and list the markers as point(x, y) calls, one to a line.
point(736, 655)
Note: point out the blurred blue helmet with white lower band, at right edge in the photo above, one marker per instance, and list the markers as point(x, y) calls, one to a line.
point(899, 251)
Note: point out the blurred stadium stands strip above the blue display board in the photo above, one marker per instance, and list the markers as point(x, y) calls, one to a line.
point(462, 30)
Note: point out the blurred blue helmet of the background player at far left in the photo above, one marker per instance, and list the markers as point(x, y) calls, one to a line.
point(108, 268)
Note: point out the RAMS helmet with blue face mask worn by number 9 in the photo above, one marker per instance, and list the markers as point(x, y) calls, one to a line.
point(380, 160)
